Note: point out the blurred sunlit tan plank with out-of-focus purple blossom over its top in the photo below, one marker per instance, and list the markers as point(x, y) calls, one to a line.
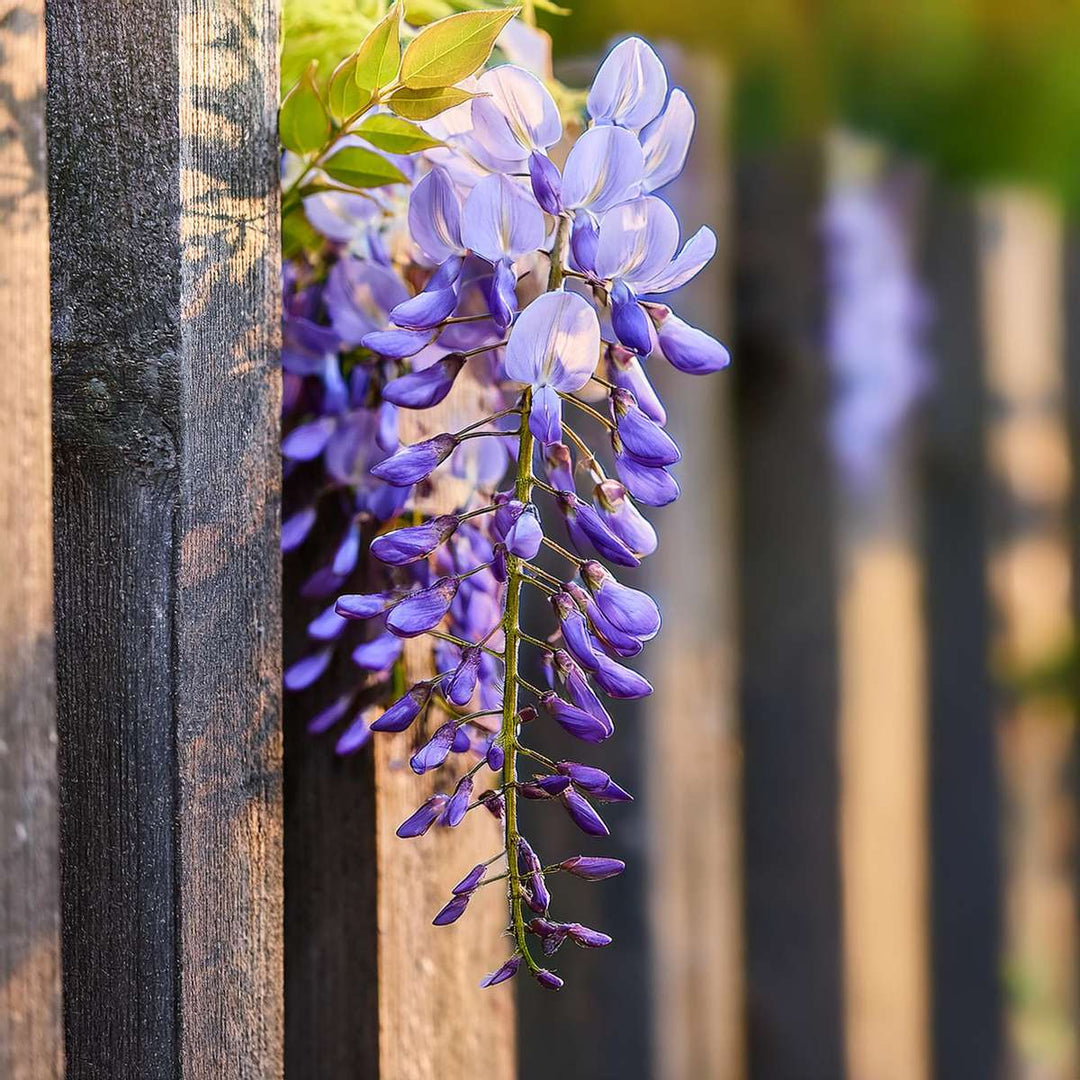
point(876, 332)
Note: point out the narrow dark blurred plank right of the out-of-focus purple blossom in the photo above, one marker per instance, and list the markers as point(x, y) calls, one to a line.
point(966, 879)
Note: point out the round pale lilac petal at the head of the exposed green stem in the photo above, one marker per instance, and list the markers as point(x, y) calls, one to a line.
point(556, 342)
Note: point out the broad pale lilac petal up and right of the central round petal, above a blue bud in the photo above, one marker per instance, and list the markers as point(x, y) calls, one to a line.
point(638, 241)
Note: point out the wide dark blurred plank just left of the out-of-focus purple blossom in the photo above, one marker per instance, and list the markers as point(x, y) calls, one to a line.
point(788, 617)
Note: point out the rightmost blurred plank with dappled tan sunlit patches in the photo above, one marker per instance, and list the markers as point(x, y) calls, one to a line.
point(1030, 578)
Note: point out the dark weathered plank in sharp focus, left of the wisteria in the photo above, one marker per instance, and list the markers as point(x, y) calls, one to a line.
point(164, 190)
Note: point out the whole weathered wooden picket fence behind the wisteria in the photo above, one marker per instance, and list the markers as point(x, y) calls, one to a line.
point(853, 854)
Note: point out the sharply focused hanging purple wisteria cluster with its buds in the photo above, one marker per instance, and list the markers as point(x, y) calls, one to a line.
point(538, 282)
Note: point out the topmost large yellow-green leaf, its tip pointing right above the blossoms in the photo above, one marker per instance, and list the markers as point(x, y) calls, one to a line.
point(453, 49)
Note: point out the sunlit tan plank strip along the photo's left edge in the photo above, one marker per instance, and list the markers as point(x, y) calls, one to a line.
point(31, 1029)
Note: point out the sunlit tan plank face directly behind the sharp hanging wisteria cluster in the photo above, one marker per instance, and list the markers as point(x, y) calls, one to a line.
point(435, 1019)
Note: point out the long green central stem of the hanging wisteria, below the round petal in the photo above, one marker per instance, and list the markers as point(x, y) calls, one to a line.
point(509, 733)
